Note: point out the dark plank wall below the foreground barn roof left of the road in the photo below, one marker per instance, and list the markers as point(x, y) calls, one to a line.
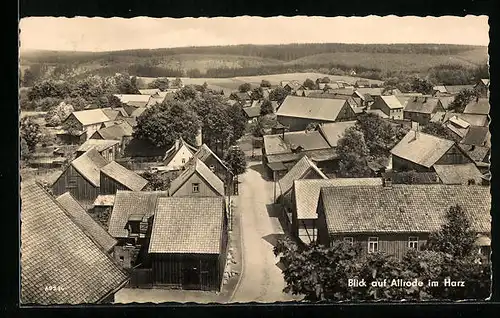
point(168, 270)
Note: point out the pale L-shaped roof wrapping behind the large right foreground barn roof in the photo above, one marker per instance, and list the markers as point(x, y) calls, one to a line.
point(306, 192)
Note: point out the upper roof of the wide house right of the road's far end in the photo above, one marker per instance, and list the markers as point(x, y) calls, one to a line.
point(308, 140)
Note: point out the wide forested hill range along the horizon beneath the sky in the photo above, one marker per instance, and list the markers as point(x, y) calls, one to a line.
point(377, 61)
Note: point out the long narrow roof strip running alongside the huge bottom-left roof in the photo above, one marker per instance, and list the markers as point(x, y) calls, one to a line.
point(78, 215)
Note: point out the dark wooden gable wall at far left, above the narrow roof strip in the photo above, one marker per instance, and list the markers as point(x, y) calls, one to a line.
point(72, 181)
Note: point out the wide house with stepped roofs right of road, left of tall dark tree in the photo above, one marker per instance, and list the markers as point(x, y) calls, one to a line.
point(282, 151)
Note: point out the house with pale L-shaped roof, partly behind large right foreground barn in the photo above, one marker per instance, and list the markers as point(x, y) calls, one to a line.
point(302, 204)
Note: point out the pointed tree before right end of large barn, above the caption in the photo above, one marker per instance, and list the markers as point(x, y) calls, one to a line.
point(455, 236)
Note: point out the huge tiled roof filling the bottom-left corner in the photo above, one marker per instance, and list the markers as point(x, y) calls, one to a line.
point(56, 252)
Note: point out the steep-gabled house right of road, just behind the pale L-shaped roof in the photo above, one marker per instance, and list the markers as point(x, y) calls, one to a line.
point(303, 169)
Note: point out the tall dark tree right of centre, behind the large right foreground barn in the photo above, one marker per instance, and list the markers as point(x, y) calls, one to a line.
point(353, 154)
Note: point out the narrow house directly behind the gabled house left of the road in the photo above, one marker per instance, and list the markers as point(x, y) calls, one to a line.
point(217, 166)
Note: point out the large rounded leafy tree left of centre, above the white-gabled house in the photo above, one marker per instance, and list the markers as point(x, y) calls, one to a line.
point(162, 124)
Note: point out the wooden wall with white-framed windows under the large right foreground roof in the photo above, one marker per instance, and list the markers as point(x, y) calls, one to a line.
point(392, 244)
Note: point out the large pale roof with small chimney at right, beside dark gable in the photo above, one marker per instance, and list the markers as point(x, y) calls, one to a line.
point(422, 149)
